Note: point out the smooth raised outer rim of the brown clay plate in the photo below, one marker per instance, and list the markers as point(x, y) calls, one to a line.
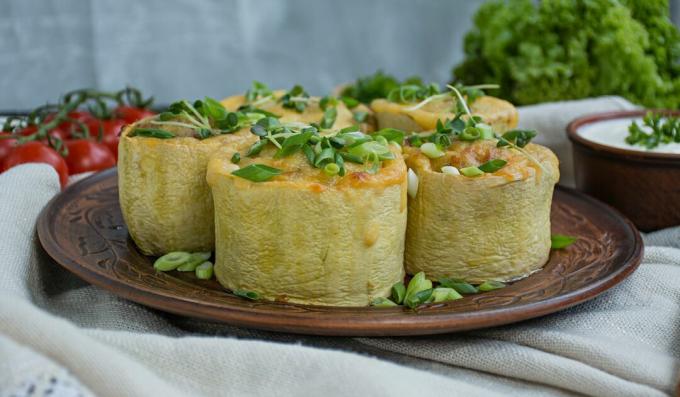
point(346, 321)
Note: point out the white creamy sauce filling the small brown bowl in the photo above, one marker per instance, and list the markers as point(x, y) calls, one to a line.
point(614, 132)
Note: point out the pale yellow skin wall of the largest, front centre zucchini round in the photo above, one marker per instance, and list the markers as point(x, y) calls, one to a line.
point(305, 243)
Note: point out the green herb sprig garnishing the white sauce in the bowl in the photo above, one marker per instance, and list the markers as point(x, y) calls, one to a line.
point(662, 130)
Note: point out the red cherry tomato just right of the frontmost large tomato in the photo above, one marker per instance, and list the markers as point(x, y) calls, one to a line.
point(85, 155)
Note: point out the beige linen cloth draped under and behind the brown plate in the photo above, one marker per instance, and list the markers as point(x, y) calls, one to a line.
point(62, 337)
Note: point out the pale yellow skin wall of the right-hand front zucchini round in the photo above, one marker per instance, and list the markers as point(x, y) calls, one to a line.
point(479, 229)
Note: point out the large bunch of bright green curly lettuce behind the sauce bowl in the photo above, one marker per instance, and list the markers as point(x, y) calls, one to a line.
point(570, 49)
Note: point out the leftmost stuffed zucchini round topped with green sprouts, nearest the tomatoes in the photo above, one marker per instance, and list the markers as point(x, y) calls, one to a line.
point(164, 197)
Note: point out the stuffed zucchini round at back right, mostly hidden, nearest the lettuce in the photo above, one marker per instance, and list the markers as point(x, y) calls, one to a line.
point(414, 108)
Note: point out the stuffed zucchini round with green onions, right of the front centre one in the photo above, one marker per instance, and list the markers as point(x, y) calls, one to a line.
point(478, 211)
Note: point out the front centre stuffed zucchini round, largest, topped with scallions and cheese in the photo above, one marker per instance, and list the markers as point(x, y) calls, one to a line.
point(310, 217)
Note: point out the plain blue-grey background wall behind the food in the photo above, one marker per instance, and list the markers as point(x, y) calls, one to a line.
point(191, 48)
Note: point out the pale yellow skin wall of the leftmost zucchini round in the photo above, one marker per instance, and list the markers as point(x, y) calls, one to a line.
point(164, 197)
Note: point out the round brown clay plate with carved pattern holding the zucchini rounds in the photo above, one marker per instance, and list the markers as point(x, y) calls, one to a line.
point(83, 230)
